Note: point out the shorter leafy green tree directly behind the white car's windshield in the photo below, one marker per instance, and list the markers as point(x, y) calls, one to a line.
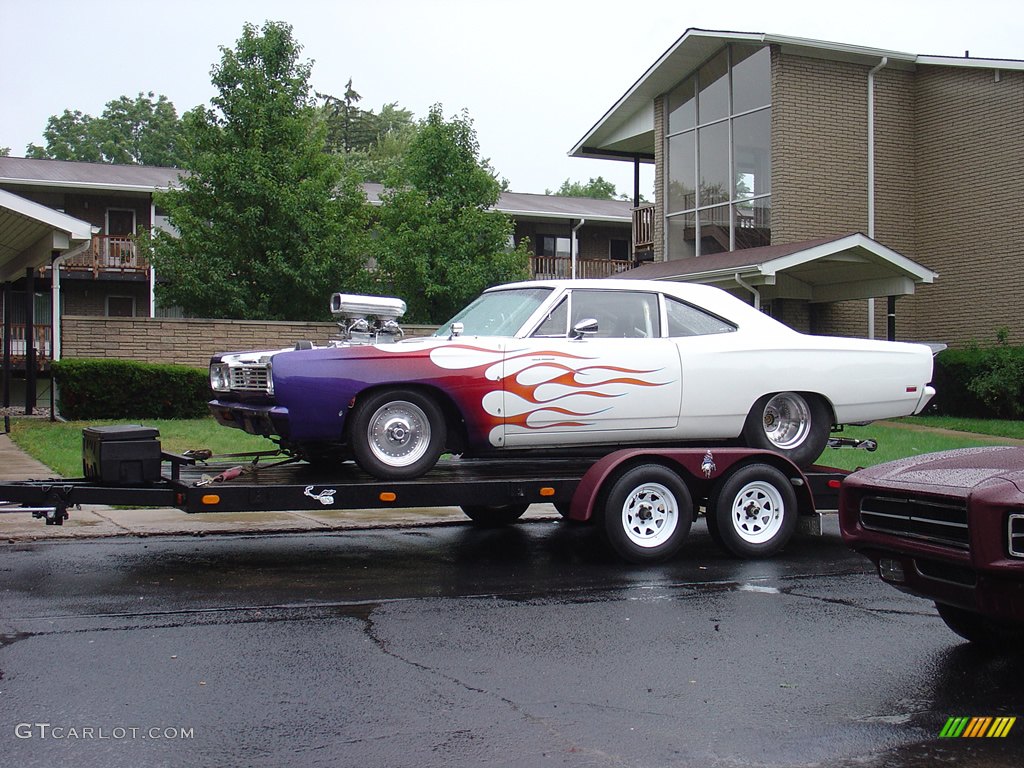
point(439, 244)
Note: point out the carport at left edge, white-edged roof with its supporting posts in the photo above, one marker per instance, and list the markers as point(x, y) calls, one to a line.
point(32, 237)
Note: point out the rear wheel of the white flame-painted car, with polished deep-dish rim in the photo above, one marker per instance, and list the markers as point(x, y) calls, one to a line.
point(792, 424)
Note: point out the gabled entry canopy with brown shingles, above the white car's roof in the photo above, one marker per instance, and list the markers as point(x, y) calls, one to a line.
point(827, 270)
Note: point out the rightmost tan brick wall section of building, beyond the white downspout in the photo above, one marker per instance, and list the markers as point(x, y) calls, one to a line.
point(970, 162)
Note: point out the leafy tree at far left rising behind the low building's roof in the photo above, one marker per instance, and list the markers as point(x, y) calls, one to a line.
point(136, 132)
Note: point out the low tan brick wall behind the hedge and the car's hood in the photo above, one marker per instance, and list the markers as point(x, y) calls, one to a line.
point(187, 343)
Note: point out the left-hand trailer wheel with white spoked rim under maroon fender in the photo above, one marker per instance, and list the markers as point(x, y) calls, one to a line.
point(648, 515)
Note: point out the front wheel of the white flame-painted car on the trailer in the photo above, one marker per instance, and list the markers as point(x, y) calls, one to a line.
point(398, 435)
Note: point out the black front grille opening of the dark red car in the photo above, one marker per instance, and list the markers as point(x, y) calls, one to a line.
point(940, 522)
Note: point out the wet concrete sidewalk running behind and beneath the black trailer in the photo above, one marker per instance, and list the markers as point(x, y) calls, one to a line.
point(100, 522)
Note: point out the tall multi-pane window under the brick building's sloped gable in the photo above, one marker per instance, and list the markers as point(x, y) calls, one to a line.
point(718, 156)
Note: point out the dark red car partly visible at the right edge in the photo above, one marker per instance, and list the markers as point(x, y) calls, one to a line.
point(948, 527)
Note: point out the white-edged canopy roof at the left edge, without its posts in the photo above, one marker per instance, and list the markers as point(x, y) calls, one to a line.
point(31, 233)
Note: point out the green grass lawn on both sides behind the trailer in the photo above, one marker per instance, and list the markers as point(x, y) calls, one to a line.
point(59, 445)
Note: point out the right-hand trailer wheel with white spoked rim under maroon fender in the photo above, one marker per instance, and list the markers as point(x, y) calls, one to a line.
point(753, 513)
